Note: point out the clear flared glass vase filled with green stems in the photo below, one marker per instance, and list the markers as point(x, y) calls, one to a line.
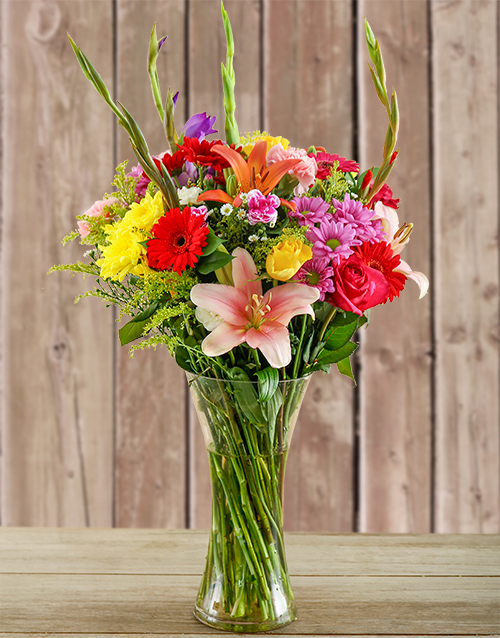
point(246, 586)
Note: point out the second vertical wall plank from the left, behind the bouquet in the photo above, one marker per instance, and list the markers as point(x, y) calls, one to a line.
point(150, 388)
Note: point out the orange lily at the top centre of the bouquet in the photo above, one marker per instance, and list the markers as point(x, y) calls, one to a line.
point(250, 174)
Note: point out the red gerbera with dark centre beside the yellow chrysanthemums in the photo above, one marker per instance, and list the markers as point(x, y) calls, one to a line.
point(178, 240)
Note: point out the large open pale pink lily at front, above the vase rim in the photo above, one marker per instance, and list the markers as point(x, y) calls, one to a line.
point(248, 316)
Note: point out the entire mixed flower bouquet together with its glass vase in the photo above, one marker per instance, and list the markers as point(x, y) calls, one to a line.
point(255, 263)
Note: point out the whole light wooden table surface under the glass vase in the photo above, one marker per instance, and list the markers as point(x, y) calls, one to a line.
point(126, 582)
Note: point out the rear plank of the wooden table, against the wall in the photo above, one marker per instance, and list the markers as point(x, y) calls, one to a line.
point(135, 551)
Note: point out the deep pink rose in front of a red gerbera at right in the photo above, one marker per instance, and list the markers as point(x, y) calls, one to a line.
point(357, 286)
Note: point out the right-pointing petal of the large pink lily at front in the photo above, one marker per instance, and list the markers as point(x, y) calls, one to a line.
point(283, 301)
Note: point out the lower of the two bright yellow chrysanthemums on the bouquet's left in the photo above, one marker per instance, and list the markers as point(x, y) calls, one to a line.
point(124, 254)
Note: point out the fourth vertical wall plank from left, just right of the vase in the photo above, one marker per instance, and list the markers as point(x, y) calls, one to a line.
point(308, 99)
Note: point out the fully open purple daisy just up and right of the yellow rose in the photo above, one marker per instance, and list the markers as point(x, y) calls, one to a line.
point(333, 240)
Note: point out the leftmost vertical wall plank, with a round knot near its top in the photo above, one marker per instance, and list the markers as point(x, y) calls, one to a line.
point(57, 408)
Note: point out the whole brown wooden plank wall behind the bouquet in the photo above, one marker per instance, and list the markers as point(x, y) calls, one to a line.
point(90, 437)
